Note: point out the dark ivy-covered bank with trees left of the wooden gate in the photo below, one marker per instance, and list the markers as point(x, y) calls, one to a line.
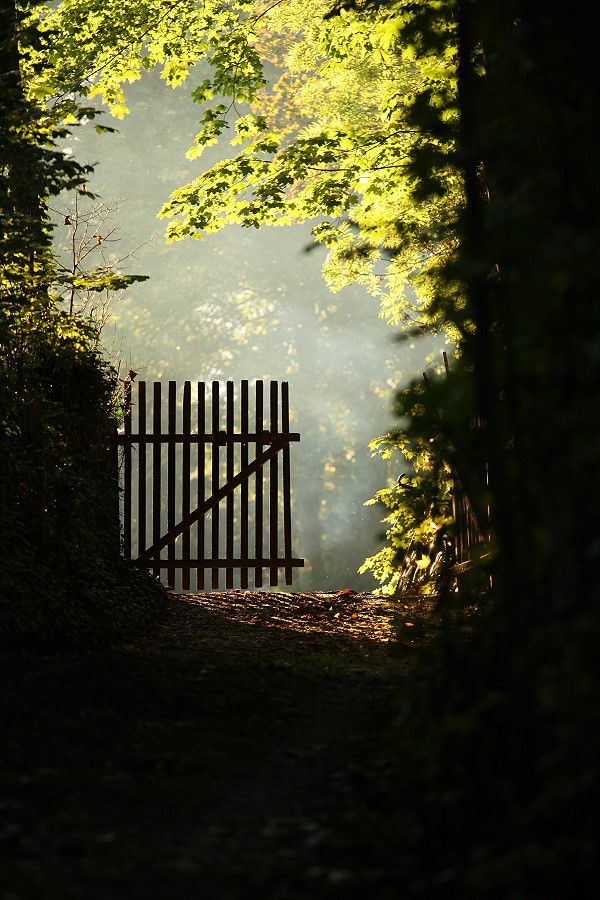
point(62, 578)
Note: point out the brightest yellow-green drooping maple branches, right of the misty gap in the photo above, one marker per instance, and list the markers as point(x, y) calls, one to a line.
point(324, 142)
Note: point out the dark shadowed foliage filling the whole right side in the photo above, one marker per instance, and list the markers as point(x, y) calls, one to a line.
point(496, 736)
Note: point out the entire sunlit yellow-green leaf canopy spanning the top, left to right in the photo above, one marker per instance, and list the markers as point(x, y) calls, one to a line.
point(339, 134)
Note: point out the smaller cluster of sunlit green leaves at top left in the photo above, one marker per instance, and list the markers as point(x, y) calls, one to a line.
point(96, 46)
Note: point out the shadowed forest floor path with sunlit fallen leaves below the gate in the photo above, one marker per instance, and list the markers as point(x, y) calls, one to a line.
point(240, 748)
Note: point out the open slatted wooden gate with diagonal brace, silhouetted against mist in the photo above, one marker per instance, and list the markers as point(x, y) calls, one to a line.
point(198, 497)
